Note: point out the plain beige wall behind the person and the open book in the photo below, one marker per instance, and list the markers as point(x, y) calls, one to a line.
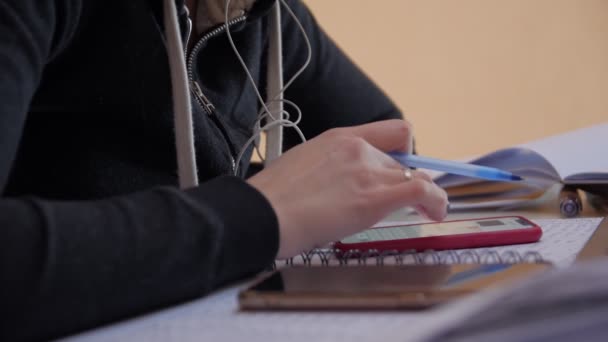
point(475, 75)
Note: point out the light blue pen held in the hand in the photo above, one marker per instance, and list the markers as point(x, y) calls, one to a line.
point(464, 169)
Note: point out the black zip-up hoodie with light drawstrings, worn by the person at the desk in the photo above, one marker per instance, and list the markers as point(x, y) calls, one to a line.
point(92, 226)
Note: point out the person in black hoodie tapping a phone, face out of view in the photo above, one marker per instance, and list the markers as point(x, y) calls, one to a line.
point(93, 226)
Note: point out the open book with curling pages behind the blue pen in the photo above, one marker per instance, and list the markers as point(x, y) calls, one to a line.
point(578, 158)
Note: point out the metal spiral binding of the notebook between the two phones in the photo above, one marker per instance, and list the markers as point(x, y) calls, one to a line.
point(332, 257)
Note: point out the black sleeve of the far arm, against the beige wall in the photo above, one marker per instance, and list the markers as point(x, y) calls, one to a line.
point(333, 91)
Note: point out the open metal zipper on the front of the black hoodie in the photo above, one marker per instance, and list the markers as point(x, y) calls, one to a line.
point(195, 87)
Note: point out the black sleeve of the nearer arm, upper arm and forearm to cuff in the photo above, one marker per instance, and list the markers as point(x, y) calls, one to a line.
point(68, 266)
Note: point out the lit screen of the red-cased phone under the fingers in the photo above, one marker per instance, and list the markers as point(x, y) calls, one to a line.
point(439, 229)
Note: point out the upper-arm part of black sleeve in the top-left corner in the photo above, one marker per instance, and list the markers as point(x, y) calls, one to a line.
point(29, 35)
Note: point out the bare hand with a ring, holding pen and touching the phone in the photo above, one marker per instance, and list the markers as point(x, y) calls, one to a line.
point(342, 182)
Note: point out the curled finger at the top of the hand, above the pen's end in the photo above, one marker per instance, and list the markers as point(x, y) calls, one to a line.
point(387, 135)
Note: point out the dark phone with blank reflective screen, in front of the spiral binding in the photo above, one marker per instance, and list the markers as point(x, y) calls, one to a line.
point(365, 287)
